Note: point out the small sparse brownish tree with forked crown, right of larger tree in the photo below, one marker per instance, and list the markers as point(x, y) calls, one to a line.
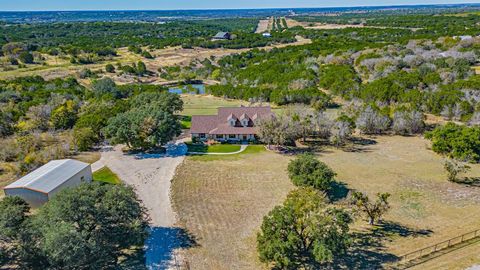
point(374, 210)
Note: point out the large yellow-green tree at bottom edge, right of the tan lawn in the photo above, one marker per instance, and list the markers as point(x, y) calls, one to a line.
point(302, 230)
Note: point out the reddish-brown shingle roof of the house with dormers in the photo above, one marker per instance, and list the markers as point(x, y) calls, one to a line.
point(218, 124)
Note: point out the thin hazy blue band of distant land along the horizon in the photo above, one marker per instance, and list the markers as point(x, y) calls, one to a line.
point(259, 8)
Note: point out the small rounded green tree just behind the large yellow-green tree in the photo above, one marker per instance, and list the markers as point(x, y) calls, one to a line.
point(306, 170)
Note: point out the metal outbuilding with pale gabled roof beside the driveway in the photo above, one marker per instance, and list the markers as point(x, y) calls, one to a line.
point(37, 187)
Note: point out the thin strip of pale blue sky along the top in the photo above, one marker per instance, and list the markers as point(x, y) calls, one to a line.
point(199, 4)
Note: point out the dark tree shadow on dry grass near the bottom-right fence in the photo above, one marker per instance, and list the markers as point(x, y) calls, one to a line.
point(368, 250)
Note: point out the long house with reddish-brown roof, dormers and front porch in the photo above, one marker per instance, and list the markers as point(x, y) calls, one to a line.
point(230, 124)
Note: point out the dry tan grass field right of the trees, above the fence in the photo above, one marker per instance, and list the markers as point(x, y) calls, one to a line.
point(422, 199)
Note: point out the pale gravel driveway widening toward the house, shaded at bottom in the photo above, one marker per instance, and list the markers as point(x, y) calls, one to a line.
point(150, 175)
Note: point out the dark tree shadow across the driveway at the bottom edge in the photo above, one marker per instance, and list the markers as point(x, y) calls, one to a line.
point(160, 247)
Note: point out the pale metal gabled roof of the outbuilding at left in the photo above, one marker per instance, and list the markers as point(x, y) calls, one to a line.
point(51, 175)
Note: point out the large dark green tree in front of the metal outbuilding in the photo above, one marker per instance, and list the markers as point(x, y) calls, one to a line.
point(89, 227)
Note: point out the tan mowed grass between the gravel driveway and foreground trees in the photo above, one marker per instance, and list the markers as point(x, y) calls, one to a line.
point(222, 203)
